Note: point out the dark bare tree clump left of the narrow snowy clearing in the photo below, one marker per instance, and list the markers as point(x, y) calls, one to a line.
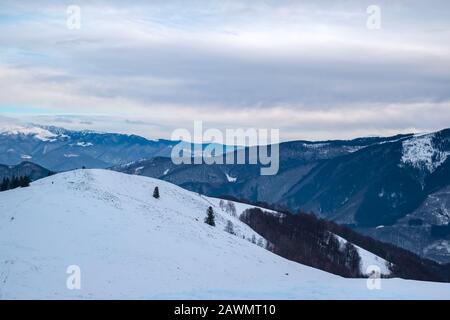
point(304, 239)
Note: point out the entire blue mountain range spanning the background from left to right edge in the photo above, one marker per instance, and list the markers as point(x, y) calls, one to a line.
point(394, 189)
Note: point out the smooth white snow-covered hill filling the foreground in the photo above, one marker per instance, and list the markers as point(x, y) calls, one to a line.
point(130, 245)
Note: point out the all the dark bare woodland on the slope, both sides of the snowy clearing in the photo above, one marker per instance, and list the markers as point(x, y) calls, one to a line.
point(305, 238)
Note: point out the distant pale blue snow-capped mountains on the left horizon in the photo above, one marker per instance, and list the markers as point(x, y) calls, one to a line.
point(59, 149)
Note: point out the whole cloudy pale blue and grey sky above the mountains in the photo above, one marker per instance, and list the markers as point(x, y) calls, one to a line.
point(312, 69)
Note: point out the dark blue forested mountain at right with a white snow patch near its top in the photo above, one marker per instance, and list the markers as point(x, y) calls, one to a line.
point(394, 189)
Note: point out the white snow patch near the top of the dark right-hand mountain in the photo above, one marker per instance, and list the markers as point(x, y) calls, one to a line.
point(420, 153)
